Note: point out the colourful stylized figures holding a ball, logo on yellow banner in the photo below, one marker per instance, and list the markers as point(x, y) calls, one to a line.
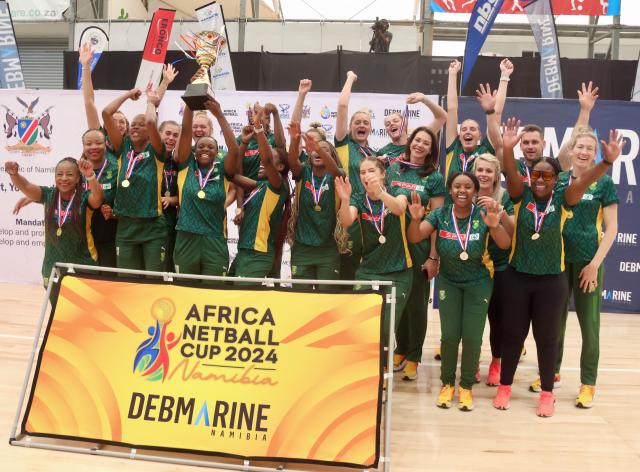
point(152, 356)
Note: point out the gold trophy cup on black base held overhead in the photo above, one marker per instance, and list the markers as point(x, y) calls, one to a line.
point(204, 47)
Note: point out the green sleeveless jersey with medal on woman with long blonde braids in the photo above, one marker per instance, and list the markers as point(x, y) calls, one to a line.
point(316, 198)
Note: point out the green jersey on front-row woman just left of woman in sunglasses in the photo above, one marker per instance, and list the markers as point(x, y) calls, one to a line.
point(478, 265)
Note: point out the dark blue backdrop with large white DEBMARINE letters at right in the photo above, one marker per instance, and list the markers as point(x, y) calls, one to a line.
point(621, 291)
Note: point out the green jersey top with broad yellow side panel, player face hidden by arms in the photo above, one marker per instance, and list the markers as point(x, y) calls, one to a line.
point(263, 209)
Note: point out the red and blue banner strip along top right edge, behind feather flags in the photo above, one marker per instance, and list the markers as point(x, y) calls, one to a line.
point(560, 7)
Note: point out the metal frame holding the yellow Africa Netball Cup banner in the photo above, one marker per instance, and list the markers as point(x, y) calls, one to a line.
point(60, 270)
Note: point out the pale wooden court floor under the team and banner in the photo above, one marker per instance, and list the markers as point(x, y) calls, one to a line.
point(424, 438)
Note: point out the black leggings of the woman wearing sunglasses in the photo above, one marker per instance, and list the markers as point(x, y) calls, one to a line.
point(537, 300)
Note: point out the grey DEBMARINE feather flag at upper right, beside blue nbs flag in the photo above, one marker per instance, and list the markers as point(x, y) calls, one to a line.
point(543, 25)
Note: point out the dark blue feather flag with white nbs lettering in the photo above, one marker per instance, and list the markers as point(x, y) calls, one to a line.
point(482, 17)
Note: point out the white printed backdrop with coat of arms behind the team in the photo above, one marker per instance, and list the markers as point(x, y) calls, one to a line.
point(22, 236)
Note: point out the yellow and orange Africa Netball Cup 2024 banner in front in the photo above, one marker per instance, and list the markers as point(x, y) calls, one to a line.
point(259, 374)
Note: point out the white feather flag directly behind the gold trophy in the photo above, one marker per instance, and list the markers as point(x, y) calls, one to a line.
point(211, 18)
